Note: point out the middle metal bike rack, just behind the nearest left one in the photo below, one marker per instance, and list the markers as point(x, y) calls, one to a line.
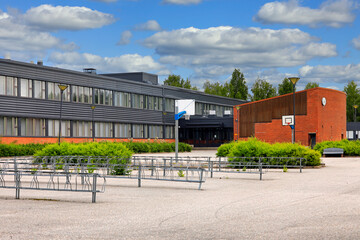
point(119, 167)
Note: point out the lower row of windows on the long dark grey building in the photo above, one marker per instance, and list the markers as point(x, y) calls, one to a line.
point(37, 127)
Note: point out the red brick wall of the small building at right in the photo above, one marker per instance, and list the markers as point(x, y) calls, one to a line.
point(327, 122)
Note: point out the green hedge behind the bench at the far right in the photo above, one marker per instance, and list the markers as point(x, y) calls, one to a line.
point(351, 148)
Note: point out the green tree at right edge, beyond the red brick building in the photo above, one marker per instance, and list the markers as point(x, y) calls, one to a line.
point(352, 98)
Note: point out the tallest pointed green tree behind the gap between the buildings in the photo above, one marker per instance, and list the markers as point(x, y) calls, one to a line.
point(237, 87)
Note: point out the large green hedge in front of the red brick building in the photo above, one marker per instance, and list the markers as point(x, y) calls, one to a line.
point(255, 148)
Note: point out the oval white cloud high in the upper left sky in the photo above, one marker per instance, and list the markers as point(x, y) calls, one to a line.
point(66, 18)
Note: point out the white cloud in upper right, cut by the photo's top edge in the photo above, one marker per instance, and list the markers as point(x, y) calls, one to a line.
point(330, 13)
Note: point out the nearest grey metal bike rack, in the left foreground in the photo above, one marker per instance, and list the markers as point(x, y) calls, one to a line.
point(22, 173)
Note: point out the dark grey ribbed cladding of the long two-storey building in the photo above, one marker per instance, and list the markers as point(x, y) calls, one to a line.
point(16, 105)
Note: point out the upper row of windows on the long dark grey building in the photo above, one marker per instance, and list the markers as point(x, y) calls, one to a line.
point(37, 89)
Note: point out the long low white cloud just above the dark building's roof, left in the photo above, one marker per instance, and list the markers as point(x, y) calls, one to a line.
point(123, 63)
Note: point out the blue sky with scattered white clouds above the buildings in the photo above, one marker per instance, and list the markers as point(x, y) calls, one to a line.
point(319, 41)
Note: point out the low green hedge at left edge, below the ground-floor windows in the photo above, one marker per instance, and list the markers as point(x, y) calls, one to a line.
point(10, 150)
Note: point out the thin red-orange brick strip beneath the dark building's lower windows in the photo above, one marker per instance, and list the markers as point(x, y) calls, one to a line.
point(26, 140)
